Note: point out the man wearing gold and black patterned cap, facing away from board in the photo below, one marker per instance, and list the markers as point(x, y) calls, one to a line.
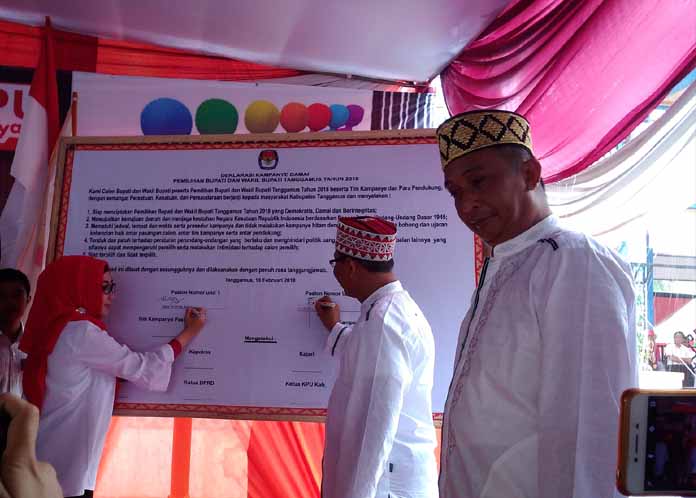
point(548, 344)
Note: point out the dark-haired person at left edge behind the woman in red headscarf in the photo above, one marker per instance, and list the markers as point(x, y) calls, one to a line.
point(15, 294)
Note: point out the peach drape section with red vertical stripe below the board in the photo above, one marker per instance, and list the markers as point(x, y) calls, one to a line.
point(141, 459)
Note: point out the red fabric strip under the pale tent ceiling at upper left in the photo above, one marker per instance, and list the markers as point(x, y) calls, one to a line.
point(20, 45)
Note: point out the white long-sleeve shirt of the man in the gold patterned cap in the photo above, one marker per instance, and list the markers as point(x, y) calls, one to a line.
point(543, 356)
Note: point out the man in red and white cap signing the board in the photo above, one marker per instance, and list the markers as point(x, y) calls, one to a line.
point(380, 438)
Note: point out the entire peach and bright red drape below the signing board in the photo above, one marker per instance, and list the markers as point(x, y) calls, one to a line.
point(228, 459)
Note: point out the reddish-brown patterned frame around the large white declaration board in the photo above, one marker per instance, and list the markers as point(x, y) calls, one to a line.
point(69, 145)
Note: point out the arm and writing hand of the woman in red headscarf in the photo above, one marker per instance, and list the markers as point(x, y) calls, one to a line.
point(150, 370)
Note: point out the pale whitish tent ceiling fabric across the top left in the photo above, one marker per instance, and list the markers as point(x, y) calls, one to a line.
point(401, 40)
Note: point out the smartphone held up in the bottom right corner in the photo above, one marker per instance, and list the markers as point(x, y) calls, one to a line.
point(657, 446)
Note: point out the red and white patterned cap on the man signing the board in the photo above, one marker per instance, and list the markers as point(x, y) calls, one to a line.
point(366, 237)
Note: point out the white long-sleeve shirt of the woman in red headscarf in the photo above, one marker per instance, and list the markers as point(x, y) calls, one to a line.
point(79, 400)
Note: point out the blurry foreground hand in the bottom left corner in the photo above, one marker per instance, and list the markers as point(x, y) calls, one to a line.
point(21, 474)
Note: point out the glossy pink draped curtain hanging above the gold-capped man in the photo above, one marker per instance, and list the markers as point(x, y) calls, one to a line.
point(585, 73)
